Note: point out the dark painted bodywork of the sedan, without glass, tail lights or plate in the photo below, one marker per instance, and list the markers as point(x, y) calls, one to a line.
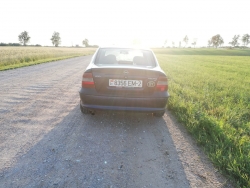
point(103, 96)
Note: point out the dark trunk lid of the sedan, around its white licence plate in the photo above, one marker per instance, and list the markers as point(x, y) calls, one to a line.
point(129, 76)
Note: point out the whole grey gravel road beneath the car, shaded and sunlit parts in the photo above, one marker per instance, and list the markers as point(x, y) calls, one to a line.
point(45, 141)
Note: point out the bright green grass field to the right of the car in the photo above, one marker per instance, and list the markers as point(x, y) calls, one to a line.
point(210, 94)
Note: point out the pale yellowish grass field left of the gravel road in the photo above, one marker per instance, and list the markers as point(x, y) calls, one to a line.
point(14, 57)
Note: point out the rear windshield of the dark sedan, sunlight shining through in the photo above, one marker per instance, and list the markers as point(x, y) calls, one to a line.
point(116, 57)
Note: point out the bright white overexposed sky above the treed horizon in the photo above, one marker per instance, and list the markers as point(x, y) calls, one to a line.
point(123, 22)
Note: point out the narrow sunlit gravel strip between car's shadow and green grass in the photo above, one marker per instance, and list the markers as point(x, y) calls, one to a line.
point(199, 170)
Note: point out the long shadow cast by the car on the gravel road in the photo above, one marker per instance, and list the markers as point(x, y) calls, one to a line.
point(108, 149)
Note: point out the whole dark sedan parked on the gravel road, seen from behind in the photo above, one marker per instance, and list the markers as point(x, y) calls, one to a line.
point(124, 79)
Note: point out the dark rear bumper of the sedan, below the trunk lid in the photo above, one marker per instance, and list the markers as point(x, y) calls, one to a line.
point(140, 104)
